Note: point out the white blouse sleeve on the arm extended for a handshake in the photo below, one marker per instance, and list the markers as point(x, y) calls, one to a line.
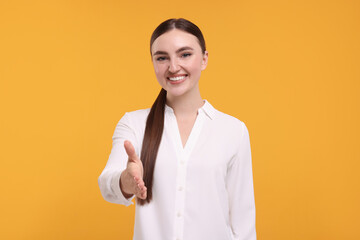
point(109, 179)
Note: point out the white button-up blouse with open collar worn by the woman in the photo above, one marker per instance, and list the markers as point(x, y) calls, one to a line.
point(202, 191)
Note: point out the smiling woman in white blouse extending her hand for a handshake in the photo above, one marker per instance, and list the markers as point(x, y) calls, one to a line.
point(188, 165)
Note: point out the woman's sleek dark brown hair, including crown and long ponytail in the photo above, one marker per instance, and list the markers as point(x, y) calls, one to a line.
point(155, 120)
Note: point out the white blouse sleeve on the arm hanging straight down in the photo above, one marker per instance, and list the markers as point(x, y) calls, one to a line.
point(241, 190)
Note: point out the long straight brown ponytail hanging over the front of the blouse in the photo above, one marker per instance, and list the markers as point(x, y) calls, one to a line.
point(151, 142)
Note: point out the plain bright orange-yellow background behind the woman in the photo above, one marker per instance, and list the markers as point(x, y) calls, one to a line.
point(70, 69)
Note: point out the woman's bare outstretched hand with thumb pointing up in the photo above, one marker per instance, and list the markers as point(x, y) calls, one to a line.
point(131, 179)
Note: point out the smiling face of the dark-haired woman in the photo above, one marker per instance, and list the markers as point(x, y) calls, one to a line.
point(178, 61)
